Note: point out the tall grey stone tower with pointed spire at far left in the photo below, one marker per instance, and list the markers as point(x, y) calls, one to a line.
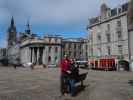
point(12, 40)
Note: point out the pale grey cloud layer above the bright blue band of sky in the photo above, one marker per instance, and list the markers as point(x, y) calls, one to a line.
point(52, 12)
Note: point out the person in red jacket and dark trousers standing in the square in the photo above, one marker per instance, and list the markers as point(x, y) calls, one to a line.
point(65, 71)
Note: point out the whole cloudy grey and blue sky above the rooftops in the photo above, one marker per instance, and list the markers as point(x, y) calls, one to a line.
point(65, 17)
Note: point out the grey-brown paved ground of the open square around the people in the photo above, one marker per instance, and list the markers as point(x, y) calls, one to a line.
point(43, 84)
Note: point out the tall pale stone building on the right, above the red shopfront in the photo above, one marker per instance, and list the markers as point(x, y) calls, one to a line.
point(108, 33)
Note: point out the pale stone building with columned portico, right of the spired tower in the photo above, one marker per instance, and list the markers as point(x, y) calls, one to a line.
point(41, 51)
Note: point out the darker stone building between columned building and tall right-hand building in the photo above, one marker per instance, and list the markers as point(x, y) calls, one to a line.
point(76, 48)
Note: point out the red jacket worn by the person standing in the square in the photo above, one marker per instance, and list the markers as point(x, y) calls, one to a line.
point(65, 65)
